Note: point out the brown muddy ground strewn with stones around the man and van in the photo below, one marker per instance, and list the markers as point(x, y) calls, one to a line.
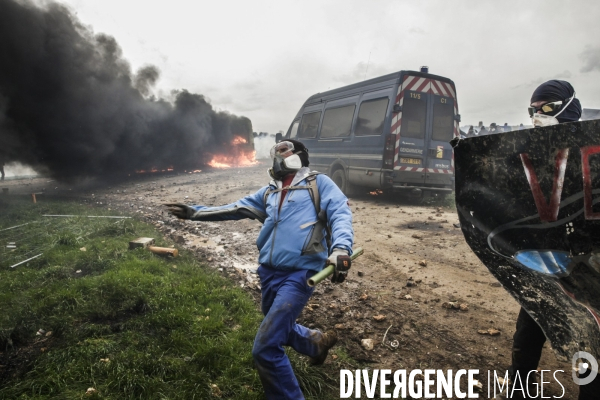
point(416, 261)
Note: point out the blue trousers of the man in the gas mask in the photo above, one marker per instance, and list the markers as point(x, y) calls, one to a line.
point(284, 295)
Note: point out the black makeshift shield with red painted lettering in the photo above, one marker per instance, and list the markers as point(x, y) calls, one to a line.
point(528, 207)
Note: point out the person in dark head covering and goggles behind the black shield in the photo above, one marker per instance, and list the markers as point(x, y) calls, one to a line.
point(529, 338)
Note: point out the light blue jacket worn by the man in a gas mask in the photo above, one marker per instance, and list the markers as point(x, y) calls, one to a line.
point(283, 239)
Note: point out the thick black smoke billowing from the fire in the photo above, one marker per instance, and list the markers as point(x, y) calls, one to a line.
point(71, 106)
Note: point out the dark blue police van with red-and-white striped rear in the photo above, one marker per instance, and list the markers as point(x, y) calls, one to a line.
point(389, 133)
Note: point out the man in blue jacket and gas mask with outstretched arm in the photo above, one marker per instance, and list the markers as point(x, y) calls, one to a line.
point(298, 208)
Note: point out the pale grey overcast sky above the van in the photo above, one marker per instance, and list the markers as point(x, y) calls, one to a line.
point(263, 58)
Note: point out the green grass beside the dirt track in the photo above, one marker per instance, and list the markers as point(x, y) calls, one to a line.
point(130, 324)
